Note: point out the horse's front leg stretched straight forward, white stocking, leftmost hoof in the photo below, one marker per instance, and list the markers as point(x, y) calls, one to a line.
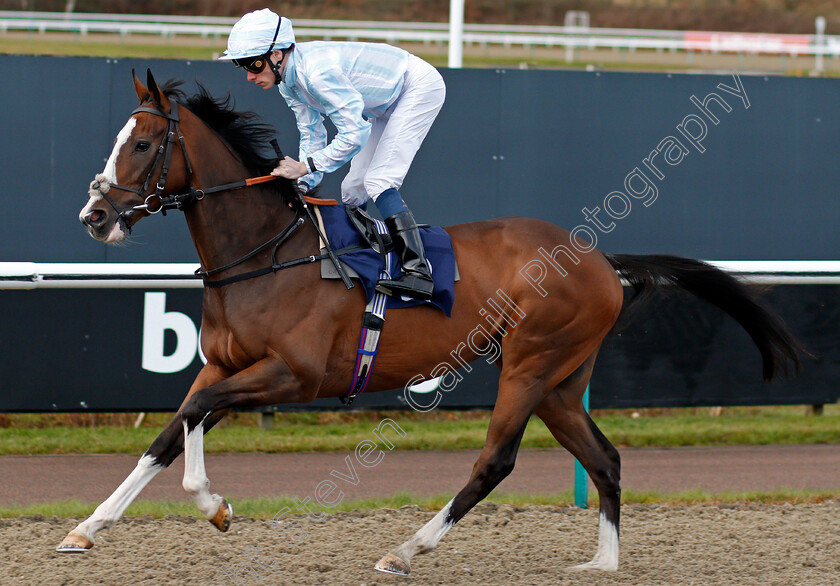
point(163, 451)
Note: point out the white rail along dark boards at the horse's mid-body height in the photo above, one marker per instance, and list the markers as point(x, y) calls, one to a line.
point(30, 275)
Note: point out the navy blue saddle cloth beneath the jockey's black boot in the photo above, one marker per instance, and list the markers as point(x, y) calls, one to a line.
point(368, 263)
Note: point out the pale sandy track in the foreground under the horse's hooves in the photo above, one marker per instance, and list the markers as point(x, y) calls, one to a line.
point(729, 544)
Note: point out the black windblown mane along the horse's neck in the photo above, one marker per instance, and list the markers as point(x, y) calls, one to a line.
point(244, 131)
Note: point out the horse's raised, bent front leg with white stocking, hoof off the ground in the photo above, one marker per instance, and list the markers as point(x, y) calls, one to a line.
point(267, 382)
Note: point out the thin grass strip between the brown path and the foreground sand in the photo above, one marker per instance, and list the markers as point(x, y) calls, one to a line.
point(267, 508)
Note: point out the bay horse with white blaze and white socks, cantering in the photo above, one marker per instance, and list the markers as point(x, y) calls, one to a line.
point(289, 337)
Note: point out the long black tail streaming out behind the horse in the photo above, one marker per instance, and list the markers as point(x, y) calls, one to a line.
point(645, 273)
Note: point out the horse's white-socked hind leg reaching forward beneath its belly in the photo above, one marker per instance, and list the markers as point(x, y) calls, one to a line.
point(514, 406)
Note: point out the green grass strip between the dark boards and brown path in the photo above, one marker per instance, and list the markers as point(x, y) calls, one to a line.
point(323, 432)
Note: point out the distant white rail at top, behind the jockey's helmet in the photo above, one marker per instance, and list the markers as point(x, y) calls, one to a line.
point(570, 38)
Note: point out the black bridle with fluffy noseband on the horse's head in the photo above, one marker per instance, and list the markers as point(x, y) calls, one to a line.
point(164, 152)
